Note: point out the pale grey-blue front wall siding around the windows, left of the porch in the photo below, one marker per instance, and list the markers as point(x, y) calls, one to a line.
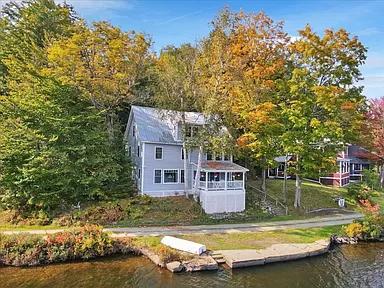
point(171, 161)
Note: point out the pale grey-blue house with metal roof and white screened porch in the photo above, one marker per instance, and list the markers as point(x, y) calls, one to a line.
point(154, 144)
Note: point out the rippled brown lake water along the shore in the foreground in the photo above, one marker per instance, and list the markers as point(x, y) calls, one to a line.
point(346, 266)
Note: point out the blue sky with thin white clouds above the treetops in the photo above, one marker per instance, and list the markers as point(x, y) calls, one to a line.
point(176, 22)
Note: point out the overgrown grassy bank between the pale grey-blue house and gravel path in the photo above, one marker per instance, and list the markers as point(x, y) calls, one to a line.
point(138, 211)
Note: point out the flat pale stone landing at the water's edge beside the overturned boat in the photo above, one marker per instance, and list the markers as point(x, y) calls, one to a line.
point(249, 257)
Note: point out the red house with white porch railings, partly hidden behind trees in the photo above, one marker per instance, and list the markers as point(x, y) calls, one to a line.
point(349, 162)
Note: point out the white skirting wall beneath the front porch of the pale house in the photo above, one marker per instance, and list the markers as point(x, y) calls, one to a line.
point(222, 201)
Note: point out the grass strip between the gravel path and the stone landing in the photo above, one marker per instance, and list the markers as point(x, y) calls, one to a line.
point(260, 240)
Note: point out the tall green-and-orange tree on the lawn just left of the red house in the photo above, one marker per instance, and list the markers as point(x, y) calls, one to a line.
point(323, 108)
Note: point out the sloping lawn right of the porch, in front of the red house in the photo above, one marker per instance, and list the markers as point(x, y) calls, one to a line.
point(313, 196)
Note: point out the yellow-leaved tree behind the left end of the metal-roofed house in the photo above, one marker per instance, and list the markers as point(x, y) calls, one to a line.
point(104, 62)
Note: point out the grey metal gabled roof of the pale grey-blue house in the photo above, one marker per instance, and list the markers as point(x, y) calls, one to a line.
point(159, 125)
